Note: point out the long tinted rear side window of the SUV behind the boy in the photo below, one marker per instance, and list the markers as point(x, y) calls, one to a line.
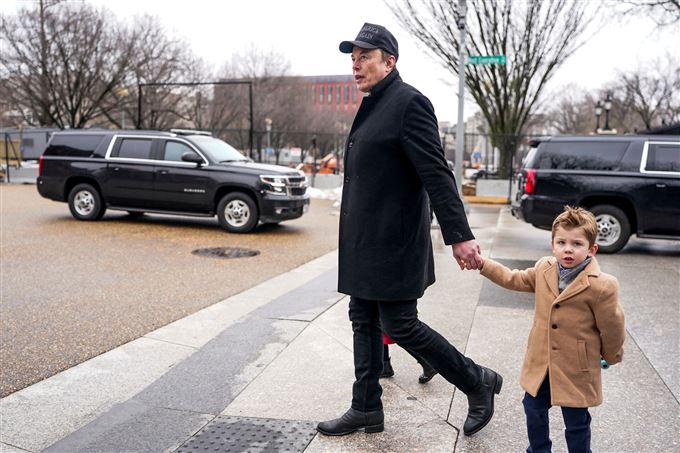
point(581, 155)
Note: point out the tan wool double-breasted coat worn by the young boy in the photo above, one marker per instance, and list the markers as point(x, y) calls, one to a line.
point(570, 331)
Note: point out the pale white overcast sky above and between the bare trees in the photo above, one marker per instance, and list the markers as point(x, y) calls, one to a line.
point(307, 33)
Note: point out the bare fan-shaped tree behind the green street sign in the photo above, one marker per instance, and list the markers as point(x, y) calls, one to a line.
point(537, 36)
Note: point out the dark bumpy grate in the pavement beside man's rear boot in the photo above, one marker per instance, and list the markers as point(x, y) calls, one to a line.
point(256, 435)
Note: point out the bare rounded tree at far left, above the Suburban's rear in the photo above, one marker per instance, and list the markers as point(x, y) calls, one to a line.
point(61, 61)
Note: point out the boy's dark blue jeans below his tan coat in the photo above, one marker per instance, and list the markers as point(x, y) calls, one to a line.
point(576, 422)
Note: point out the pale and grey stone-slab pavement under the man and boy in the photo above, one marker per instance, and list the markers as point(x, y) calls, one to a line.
point(257, 371)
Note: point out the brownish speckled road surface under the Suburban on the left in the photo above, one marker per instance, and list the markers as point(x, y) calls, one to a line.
point(72, 290)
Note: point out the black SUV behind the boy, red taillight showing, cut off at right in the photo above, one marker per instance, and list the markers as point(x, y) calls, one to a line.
point(630, 182)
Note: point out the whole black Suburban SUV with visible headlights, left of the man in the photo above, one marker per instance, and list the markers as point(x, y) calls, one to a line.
point(177, 172)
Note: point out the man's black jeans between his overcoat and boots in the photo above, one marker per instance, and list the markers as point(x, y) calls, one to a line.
point(399, 319)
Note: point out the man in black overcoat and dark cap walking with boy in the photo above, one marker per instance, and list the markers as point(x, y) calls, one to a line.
point(393, 161)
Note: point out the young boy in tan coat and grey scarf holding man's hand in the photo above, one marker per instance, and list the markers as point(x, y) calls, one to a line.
point(577, 320)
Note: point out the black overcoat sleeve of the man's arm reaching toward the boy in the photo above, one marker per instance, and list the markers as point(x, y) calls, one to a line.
point(421, 142)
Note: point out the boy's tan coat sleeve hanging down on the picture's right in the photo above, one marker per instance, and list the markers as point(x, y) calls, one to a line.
point(610, 322)
